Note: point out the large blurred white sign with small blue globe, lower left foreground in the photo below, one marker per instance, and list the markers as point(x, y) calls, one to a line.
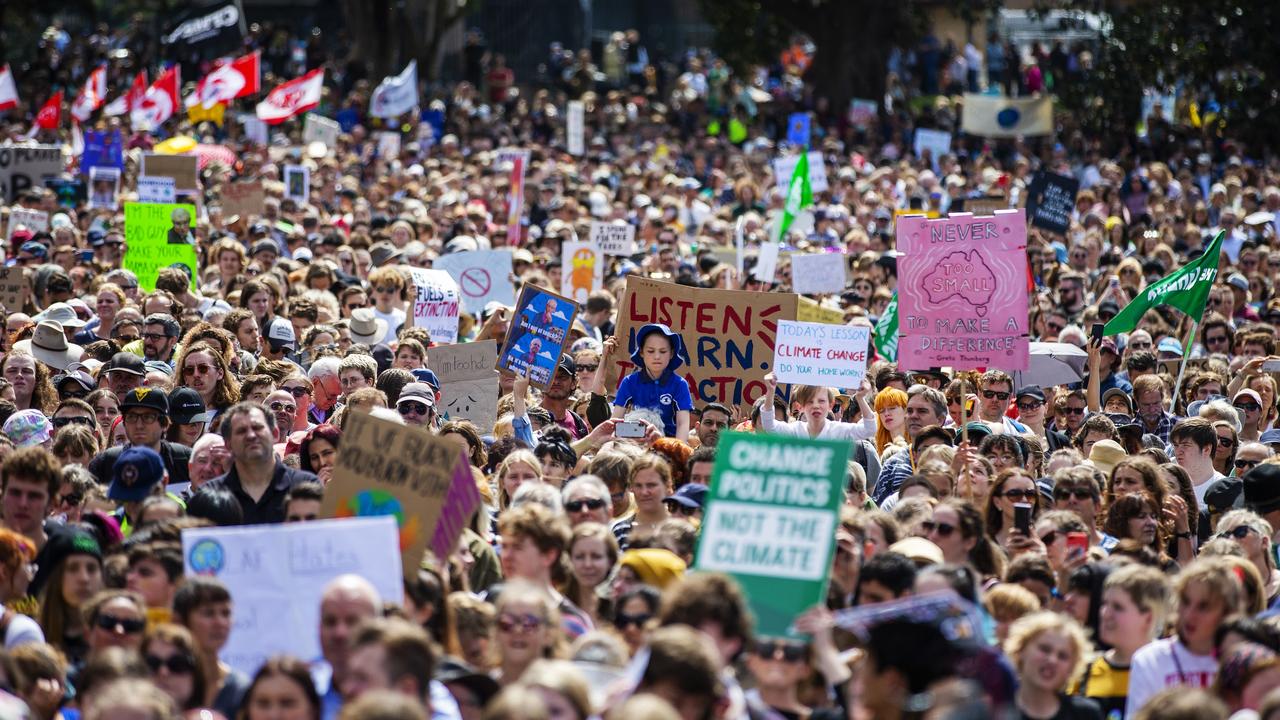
point(278, 573)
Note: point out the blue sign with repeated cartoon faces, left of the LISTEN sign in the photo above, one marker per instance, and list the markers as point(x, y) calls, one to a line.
point(538, 335)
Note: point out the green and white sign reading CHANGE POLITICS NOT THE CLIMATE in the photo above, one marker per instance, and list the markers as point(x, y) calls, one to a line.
point(771, 522)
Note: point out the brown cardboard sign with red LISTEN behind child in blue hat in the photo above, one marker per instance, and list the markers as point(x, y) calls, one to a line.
point(729, 335)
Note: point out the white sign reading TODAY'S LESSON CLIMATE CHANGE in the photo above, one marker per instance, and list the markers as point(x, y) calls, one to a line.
point(817, 354)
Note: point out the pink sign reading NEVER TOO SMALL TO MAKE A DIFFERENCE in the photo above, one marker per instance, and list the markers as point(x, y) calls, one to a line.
point(962, 291)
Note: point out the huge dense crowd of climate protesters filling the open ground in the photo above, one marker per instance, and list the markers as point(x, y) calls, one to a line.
point(1087, 531)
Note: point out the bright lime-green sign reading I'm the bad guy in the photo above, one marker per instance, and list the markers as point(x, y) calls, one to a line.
point(154, 234)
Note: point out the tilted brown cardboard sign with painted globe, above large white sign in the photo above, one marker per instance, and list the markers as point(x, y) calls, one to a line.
point(385, 468)
